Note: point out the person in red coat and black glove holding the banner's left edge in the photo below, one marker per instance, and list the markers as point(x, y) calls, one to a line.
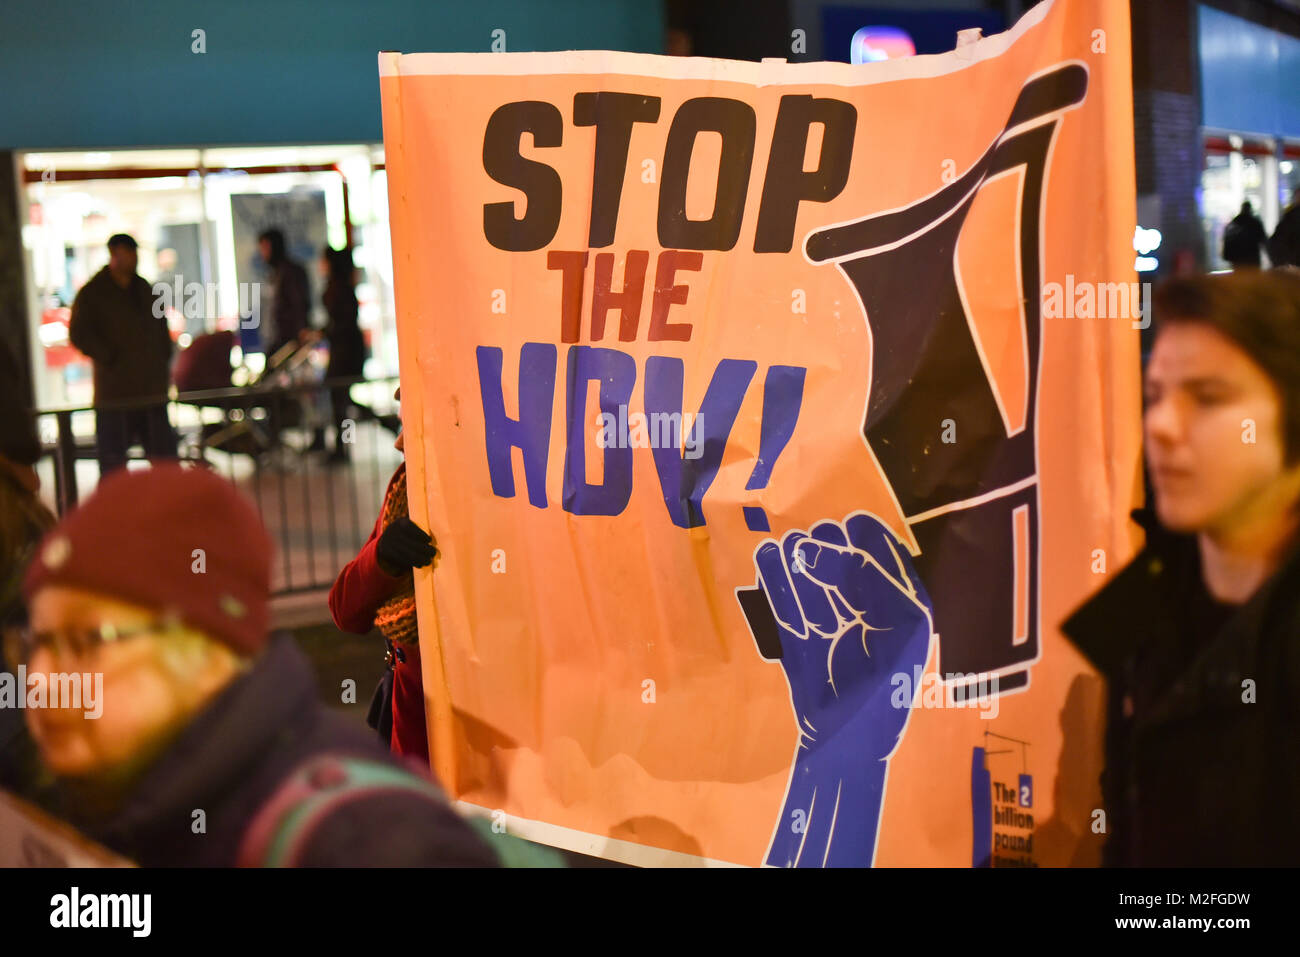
point(376, 590)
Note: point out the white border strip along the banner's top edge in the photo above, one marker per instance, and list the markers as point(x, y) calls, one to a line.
point(765, 73)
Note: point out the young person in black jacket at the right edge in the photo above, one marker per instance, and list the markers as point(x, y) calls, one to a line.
point(1199, 636)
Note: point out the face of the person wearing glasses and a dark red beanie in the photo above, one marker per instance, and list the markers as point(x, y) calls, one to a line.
point(153, 682)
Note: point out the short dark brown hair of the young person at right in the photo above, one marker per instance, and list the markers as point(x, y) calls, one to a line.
point(1260, 313)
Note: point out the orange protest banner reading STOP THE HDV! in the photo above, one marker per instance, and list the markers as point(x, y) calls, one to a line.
point(764, 465)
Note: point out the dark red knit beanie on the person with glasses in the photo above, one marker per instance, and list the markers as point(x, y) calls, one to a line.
point(179, 540)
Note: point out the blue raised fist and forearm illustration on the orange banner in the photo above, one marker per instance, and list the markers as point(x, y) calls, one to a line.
point(851, 614)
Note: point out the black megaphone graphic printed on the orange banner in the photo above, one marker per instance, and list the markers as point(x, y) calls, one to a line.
point(972, 505)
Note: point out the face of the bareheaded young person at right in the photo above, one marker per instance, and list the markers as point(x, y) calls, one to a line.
point(1214, 432)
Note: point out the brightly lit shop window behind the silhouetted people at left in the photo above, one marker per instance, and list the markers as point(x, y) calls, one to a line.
point(196, 216)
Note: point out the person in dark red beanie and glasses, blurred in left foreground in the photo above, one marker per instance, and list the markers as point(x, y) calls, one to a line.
point(210, 747)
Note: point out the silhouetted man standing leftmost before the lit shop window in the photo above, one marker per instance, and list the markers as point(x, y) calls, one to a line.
point(115, 323)
